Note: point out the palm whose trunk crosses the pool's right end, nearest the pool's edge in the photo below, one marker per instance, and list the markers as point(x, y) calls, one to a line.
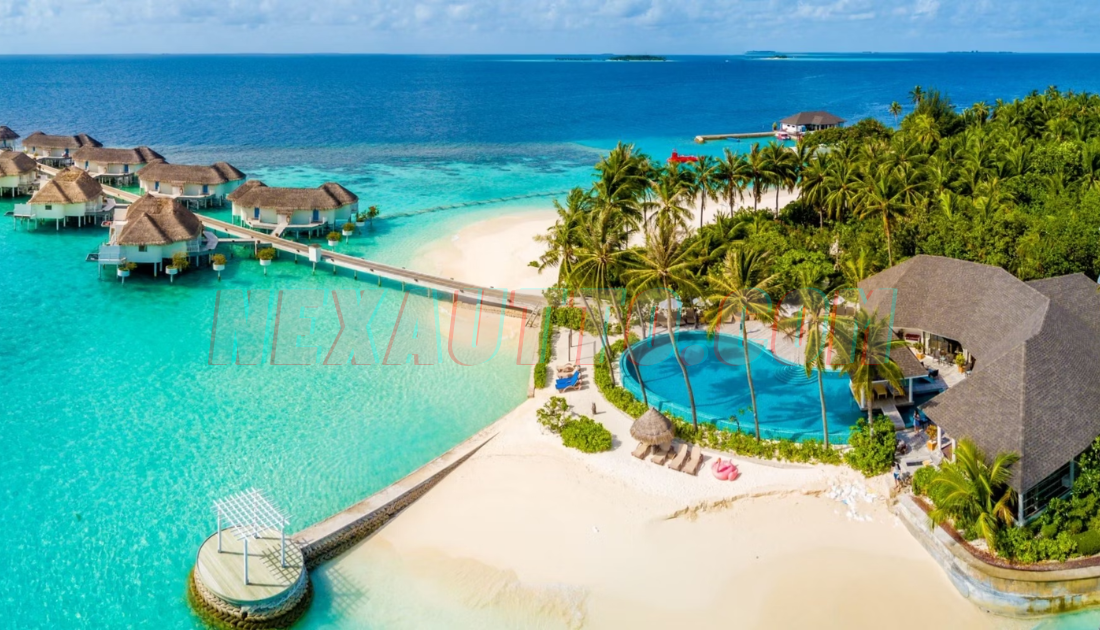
point(812, 324)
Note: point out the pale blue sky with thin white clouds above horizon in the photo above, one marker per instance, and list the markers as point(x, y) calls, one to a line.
point(545, 27)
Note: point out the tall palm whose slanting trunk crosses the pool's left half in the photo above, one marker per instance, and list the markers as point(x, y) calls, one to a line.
point(666, 262)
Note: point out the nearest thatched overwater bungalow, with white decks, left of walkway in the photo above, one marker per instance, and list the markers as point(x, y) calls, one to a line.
point(155, 229)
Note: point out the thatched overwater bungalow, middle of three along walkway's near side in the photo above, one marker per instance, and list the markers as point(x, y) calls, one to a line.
point(71, 194)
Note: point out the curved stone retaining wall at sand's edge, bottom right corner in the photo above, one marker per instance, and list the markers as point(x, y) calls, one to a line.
point(1004, 591)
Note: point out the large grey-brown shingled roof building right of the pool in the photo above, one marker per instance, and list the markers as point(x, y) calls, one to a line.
point(1032, 357)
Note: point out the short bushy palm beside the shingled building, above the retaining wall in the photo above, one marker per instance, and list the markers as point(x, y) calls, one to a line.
point(974, 493)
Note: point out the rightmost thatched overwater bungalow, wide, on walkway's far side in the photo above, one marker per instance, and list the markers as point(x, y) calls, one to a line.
point(262, 207)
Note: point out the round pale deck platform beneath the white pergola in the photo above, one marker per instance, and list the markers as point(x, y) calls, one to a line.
point(270, 584)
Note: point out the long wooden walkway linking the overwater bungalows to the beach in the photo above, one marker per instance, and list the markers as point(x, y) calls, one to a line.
point(460, 291)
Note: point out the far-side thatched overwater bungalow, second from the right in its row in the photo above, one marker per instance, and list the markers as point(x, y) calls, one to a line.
point(195, 186)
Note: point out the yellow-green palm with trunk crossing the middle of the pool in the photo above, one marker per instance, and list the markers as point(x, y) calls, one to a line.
point(740, 289)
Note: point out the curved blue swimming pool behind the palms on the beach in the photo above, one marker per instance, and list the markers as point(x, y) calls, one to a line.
point(787, 400)
